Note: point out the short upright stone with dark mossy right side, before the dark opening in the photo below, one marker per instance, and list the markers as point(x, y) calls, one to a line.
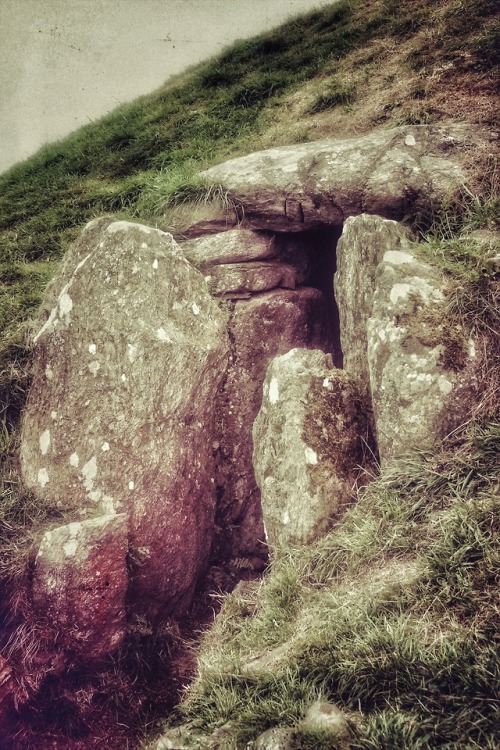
point(307, 446)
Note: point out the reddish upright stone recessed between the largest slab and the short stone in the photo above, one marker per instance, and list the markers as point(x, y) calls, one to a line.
point(260, 328)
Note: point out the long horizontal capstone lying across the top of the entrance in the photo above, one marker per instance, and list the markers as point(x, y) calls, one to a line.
point(297, 187)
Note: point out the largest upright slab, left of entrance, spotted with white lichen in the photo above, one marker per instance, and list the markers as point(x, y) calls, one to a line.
point(120, 413)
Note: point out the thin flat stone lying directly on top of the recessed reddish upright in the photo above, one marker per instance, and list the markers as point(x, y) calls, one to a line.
point(243, 279)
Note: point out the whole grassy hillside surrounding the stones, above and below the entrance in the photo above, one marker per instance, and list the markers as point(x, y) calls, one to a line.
point(345, 69)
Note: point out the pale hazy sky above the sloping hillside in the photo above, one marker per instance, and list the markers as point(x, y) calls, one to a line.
point(64, 63)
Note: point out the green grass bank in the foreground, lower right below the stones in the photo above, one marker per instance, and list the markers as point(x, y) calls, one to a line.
point(392, 616)
